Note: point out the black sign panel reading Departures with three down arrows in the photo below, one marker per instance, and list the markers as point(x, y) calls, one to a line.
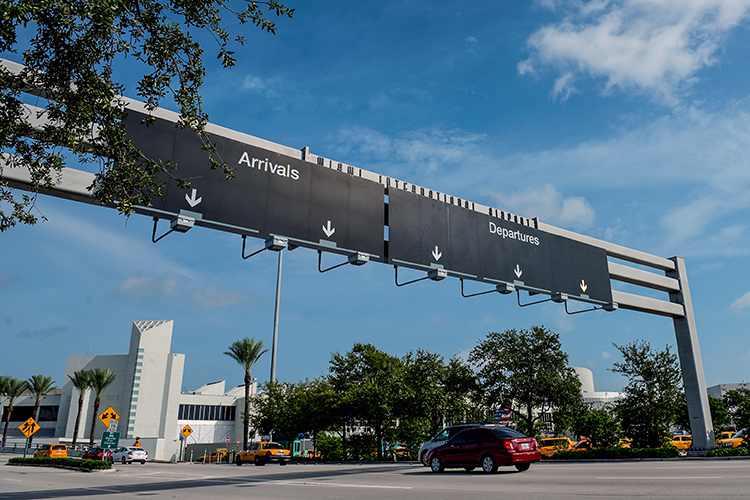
point(426, 233)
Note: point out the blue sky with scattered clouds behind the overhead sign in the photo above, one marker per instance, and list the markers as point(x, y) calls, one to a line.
point(625, 120)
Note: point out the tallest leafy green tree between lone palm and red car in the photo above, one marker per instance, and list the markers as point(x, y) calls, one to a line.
point(368, 380)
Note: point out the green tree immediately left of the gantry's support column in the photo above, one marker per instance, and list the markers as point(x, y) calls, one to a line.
point(652, 395)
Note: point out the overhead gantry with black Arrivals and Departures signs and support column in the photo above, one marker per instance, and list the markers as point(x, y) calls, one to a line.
point(290, 197)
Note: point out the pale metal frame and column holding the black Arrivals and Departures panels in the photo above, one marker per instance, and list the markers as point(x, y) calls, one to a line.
point(670, 274)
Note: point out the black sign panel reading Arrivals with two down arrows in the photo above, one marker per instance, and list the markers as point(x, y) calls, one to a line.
point(271, 194)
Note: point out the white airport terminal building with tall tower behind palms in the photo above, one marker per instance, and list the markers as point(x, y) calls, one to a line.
point(147, 396)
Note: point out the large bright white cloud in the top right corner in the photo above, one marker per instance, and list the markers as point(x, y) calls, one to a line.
point(656, 47)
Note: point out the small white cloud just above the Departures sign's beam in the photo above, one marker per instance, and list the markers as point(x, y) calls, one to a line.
point(550, 206)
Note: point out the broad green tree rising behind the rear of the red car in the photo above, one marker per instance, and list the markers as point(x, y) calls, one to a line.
point(526, 369)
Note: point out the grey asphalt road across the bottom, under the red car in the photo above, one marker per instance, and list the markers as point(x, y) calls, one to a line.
point(685, 478)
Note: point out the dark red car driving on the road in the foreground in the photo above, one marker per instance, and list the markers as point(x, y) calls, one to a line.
point(485, 447)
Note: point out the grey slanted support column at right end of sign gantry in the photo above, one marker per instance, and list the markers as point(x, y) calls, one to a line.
point(691, 363)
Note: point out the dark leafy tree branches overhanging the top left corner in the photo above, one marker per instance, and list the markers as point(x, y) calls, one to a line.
point(71, 62)
